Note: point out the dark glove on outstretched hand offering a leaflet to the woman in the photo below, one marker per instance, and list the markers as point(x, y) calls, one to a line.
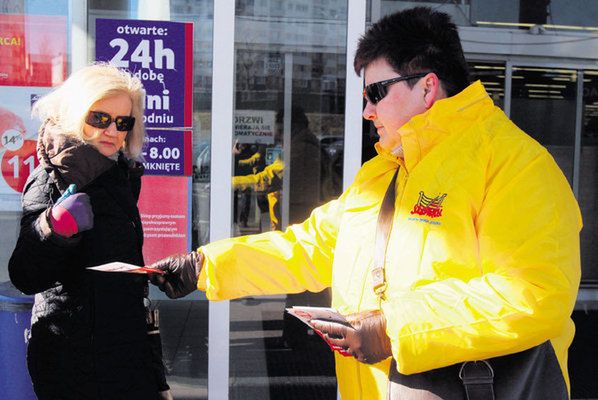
point(181, 273)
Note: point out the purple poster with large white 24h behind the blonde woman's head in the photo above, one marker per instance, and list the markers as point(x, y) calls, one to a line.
point(160, 53)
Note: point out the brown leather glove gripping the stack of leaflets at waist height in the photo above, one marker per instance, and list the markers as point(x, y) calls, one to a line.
point(364, 337)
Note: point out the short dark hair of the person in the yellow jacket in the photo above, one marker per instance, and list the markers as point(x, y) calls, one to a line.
point(416, 40)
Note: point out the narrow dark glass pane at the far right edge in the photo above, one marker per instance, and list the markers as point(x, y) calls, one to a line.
point(588, 186)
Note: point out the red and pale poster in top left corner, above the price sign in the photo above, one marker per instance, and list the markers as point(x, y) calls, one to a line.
point(32, 50)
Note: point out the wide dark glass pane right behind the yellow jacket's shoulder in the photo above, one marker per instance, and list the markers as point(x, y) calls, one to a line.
point(543, 105)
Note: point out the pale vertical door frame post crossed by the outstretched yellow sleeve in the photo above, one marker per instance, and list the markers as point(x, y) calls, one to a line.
point(223, 74)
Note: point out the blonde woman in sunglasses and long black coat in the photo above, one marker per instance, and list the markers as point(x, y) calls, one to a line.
point(88, 336)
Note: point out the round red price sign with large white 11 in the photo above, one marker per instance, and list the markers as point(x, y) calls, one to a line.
point(18, 164)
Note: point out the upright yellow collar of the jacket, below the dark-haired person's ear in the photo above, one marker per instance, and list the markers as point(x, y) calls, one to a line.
point(446, 117)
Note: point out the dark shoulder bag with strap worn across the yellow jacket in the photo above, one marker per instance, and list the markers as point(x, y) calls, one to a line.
point(532, 374)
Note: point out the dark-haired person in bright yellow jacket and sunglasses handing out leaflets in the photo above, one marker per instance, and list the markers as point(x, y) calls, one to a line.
point(483, 254)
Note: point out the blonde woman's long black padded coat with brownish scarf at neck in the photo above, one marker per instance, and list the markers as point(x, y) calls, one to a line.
point(89, 338)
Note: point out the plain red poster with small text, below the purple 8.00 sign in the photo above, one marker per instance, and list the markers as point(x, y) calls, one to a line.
point(164, 206)
